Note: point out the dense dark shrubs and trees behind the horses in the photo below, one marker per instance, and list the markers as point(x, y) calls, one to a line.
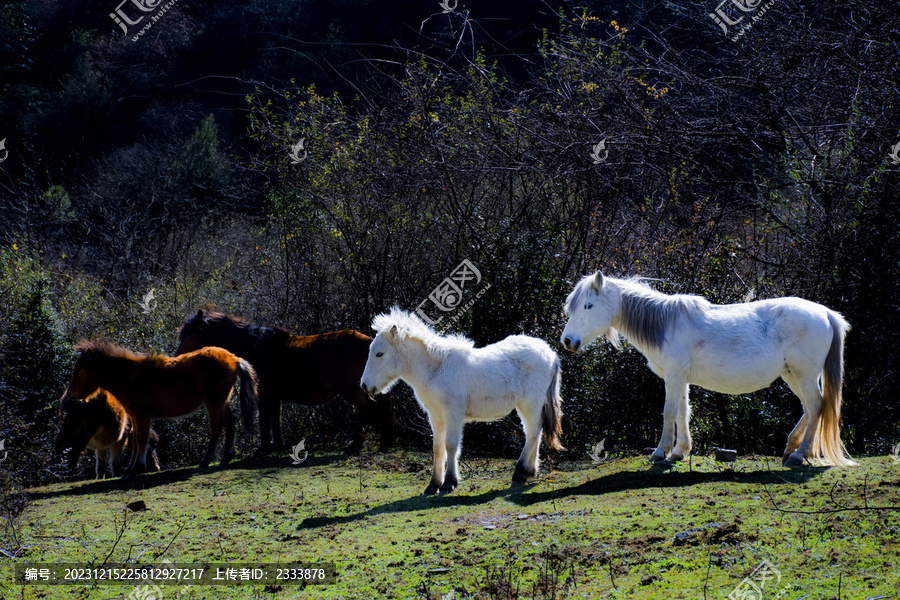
point(739, 169)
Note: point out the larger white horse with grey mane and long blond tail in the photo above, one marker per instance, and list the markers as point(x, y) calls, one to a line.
point(734, 349)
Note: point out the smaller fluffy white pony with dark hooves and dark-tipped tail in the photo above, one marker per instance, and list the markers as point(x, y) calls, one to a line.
point(456, 382)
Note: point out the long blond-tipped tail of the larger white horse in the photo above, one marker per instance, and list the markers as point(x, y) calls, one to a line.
point(828, 442)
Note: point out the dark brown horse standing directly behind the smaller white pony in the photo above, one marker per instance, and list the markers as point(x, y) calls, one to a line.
point(308, 370)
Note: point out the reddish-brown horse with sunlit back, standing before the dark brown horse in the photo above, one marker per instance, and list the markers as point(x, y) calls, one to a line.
point(157, 387)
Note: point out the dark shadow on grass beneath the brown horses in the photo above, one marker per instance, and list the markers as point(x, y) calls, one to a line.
point(258, 466)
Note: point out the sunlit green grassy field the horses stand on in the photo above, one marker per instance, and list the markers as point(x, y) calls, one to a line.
point(620, 529)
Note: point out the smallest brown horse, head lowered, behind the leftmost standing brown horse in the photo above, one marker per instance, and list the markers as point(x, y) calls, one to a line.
point(98, 423)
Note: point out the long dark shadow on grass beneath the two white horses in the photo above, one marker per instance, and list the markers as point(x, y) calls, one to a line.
point(653, 477)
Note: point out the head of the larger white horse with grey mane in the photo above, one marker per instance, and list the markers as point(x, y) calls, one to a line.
point(590, 308)
